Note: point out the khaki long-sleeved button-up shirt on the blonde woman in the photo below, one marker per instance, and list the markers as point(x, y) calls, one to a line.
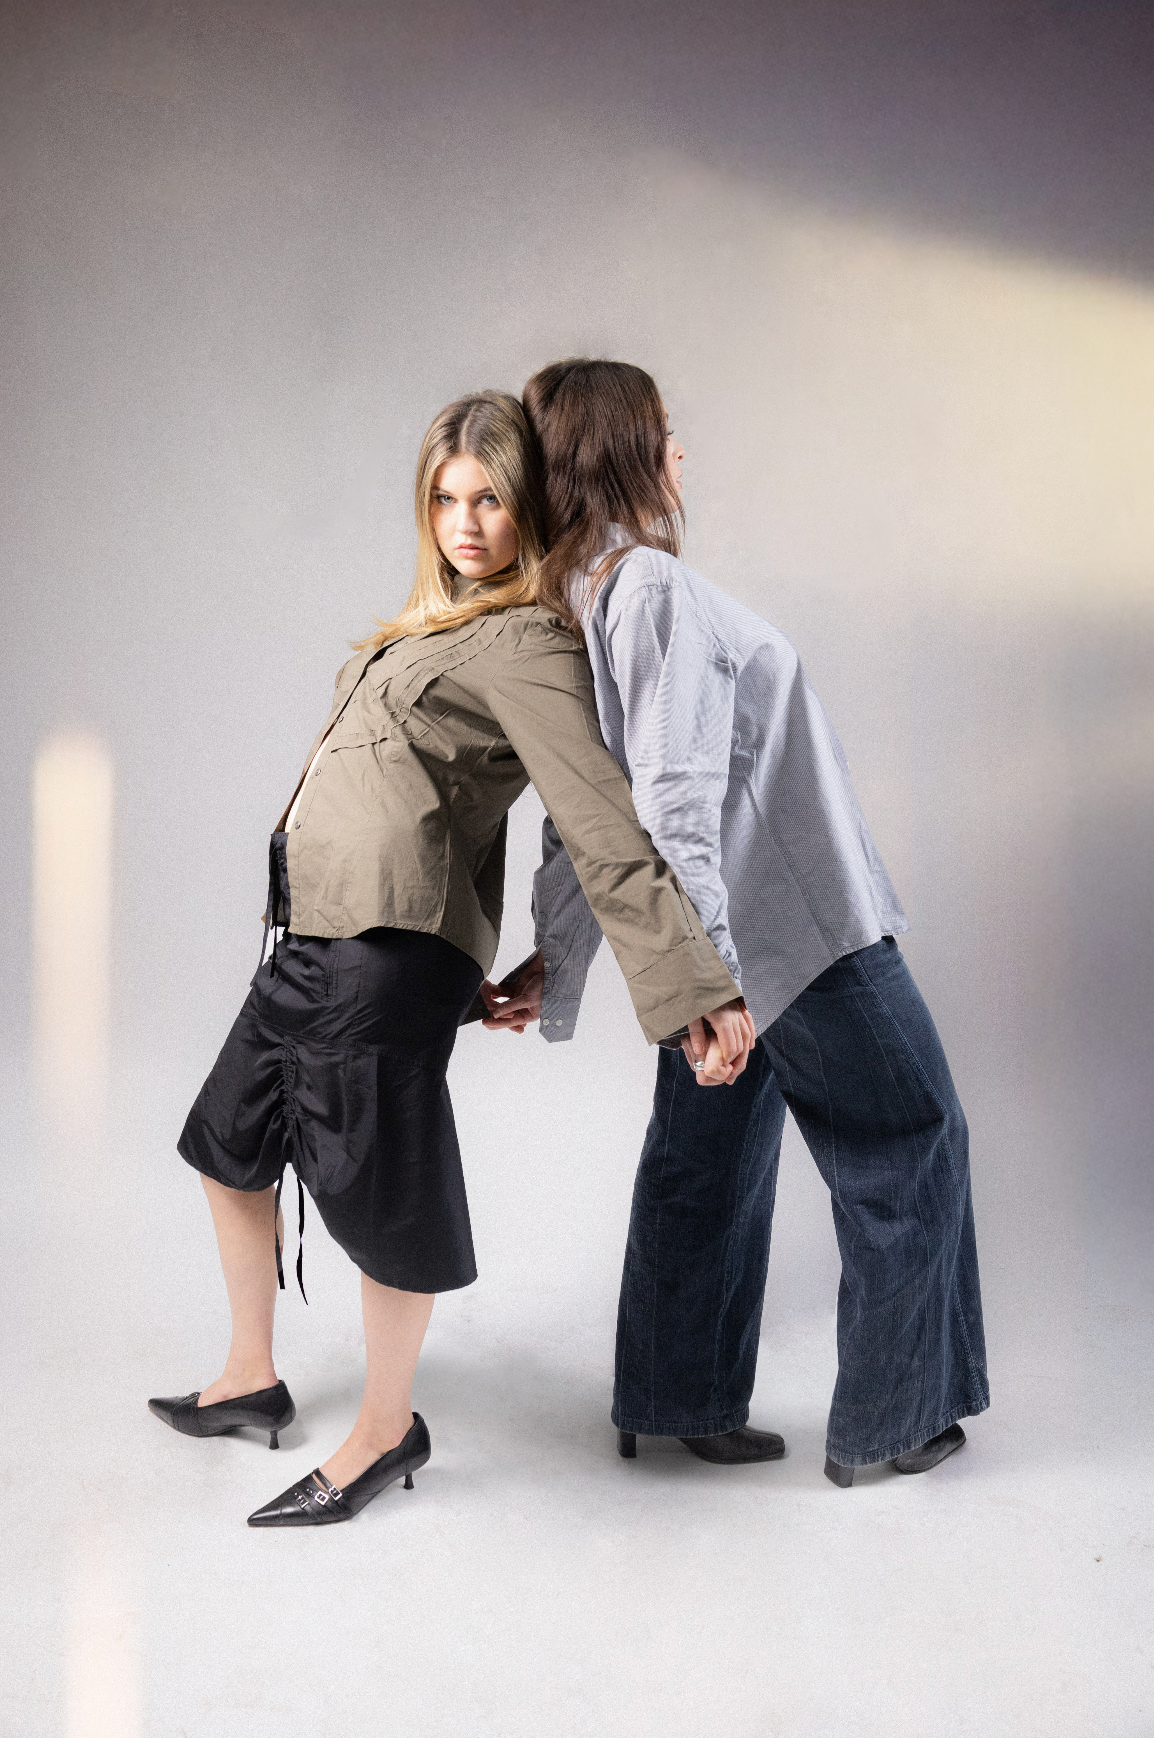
point(404, 819)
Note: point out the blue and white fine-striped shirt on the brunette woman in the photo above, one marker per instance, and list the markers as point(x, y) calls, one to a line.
point(739, 779)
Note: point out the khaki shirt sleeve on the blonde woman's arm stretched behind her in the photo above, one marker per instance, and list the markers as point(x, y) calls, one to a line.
point(547, 708)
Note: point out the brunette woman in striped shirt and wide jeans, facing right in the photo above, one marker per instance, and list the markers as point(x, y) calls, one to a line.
point(743, 786)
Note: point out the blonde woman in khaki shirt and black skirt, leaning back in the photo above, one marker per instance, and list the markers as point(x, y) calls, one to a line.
point(387, 877)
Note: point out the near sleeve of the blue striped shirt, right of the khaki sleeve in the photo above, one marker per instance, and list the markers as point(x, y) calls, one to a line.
point(677, 696)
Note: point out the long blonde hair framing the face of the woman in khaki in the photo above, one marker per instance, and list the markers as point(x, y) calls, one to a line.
point(494, 430)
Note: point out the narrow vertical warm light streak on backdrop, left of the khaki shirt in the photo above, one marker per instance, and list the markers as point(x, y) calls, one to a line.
point(72, 922)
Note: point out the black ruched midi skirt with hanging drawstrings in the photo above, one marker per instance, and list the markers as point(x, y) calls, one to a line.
point(336, 1066)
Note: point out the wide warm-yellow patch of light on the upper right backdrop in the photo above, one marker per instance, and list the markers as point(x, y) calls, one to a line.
point(898, 413)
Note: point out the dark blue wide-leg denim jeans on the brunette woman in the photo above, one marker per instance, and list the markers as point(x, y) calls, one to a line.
point(861, 1066)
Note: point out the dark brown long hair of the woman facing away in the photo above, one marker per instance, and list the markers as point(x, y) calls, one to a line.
point(602, 428)
